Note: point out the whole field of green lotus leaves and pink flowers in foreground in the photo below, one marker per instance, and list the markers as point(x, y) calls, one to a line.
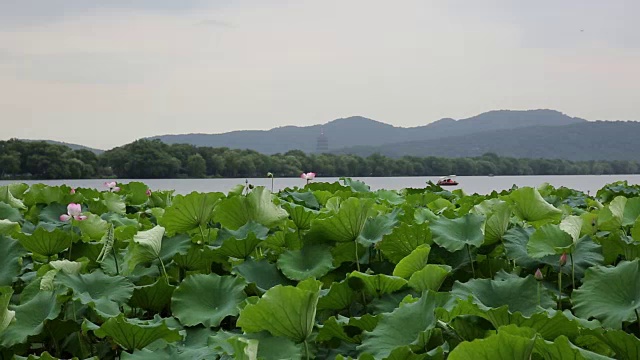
point(323, 271)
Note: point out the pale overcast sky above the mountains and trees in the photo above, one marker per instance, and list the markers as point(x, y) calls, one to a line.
point(103, 73)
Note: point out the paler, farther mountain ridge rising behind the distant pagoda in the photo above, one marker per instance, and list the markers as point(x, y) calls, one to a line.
point(360, 131)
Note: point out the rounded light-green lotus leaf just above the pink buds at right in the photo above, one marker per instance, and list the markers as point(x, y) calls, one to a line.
point(547, 240)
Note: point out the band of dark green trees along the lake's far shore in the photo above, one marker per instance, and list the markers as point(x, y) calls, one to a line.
point(153, 159)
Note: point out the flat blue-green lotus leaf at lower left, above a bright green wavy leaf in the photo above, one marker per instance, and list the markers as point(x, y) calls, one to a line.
point(103, 293)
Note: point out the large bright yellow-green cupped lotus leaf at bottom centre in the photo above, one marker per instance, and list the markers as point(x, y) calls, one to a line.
point(284, 311)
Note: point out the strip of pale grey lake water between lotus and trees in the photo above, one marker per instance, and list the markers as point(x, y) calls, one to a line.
point(470, 184)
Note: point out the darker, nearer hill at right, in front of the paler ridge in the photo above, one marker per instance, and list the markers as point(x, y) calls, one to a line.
point(599, 140)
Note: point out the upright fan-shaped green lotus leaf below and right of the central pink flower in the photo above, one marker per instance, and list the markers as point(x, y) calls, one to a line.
point(345, 225)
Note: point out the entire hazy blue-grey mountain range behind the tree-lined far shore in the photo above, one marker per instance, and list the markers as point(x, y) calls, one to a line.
point(530, 134)
